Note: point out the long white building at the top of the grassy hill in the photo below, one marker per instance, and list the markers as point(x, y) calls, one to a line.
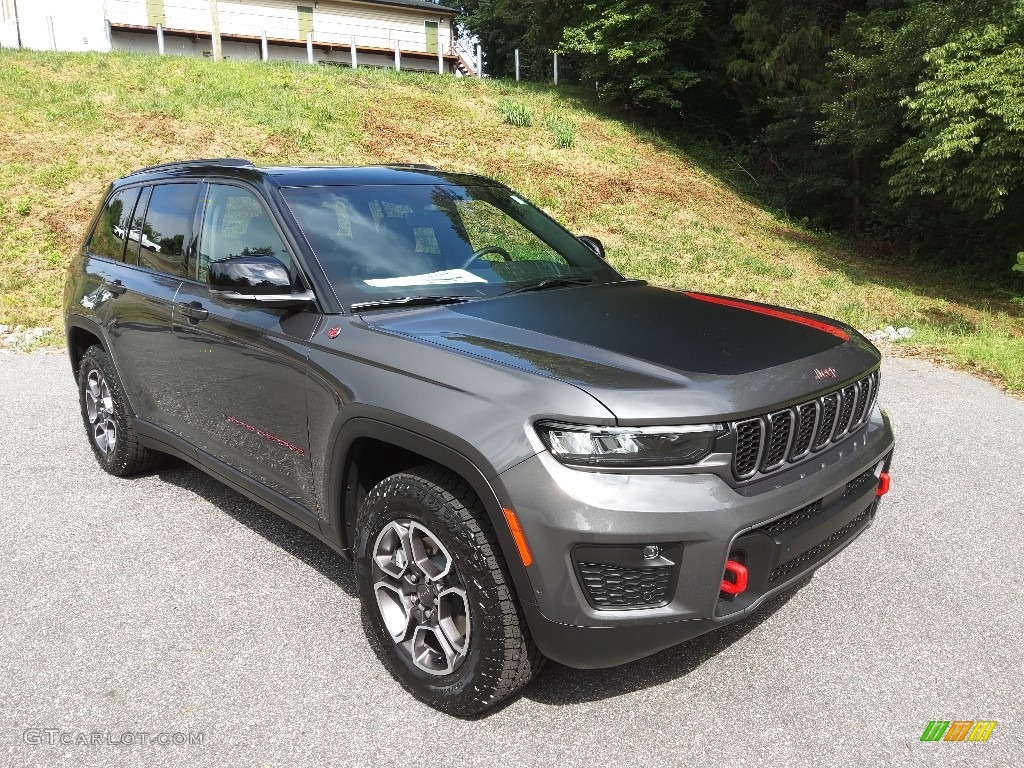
point(410, 34)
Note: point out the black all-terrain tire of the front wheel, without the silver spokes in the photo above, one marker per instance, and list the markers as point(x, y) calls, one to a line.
point(500, 658)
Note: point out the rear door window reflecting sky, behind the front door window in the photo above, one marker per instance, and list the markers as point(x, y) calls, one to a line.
point(168, 222)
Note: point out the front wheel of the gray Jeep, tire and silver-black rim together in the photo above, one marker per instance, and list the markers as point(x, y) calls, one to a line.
point(438, 593)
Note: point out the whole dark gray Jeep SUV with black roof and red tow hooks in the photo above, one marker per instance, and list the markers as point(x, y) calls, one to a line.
point(527, 455)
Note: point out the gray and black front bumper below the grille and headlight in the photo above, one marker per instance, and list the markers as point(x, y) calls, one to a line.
point(579, 523)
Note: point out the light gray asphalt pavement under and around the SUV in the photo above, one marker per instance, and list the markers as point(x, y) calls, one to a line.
point(167, 621)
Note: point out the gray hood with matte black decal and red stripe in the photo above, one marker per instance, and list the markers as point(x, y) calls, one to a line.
point(651, 354)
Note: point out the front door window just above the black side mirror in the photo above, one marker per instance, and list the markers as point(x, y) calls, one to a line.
point(236, 225)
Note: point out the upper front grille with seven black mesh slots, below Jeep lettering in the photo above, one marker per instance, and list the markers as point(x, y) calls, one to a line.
point(771, 443)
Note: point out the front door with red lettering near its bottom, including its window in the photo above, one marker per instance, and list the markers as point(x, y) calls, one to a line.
point(243, 368)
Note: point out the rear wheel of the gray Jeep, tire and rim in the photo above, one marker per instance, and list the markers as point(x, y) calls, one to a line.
point(104, 410)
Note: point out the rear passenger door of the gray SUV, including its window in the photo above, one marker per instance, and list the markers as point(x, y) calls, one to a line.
point(144, 286)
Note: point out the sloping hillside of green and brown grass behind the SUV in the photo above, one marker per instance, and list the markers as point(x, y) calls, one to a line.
point(70, 123)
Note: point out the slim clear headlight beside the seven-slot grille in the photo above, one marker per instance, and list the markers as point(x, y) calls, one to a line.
point(629, 447)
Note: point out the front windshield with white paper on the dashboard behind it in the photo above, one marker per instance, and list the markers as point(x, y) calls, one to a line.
point(391, 242)
